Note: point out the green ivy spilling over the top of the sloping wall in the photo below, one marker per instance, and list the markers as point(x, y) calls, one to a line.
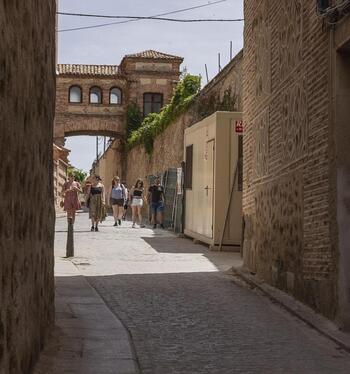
point(155, 123)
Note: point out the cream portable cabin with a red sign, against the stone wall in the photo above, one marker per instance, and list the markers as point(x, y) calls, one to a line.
point(213, 153)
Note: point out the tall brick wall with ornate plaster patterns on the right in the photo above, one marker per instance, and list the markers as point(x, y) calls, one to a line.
point(290, 151)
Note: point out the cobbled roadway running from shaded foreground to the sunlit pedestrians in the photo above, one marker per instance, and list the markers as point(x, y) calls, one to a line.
point(187, 316)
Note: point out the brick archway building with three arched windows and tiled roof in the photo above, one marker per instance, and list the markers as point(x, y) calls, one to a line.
point(145, 72)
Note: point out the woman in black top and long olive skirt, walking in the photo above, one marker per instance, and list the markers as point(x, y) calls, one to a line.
point(96, 197)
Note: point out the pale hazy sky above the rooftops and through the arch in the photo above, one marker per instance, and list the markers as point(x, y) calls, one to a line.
point(198, 43)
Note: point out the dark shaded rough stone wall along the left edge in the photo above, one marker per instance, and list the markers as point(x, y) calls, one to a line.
point(27, 92)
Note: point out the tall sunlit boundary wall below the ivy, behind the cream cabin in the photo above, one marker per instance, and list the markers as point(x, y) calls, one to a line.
point(224, 92)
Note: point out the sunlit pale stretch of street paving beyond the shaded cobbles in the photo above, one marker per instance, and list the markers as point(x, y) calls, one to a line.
point(127, 250)
